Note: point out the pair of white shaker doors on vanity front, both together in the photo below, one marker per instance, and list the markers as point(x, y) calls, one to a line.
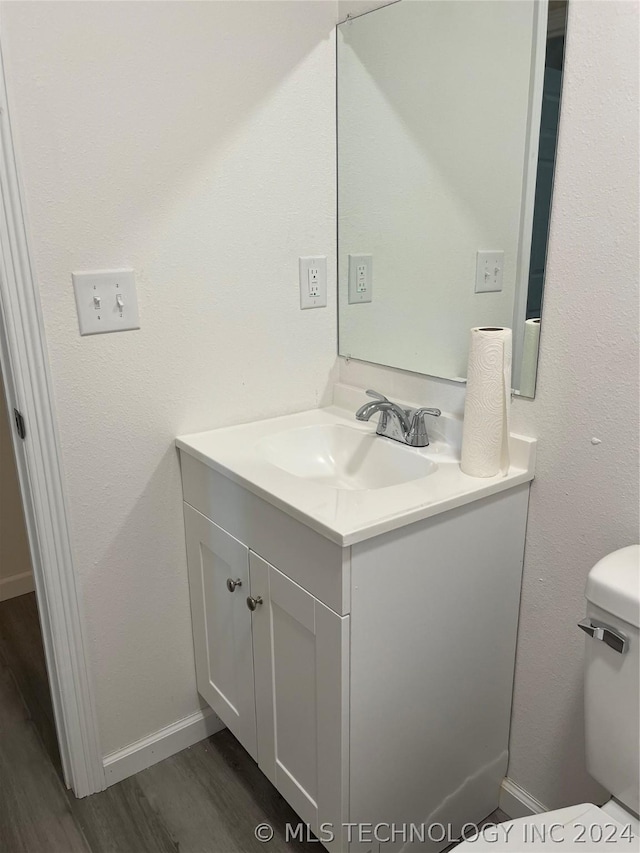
point(272, 661)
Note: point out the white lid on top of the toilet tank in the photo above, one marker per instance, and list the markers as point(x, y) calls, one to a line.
point(614, 584)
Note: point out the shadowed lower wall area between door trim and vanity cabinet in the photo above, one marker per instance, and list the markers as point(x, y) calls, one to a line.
point(148, 530)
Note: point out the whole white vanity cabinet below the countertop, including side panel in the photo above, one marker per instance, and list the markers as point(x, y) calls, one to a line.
point(371, 683)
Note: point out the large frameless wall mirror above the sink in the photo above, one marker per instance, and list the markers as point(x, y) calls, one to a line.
point(447, 124)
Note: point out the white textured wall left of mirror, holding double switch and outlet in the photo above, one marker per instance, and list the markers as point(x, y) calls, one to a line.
point(172, 137)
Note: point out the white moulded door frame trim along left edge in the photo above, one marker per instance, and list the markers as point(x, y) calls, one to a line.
point(28, 387)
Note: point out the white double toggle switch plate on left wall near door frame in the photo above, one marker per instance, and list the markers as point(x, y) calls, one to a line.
point(106, 301)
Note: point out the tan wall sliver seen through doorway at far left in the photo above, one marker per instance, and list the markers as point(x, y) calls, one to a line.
point(16, 576)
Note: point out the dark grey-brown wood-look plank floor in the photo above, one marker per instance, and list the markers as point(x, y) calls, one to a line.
point(206, 799)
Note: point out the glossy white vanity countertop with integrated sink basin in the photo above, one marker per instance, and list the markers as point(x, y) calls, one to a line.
point(332, 473)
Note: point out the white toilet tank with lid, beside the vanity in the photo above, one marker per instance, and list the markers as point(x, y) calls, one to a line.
point(612, 675)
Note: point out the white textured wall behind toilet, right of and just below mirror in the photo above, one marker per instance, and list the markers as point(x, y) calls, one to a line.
point(584, 500)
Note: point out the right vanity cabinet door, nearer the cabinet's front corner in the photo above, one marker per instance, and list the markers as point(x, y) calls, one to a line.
point(301, 675)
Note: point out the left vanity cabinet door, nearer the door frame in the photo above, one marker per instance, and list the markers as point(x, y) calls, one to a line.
point(218, 587)
